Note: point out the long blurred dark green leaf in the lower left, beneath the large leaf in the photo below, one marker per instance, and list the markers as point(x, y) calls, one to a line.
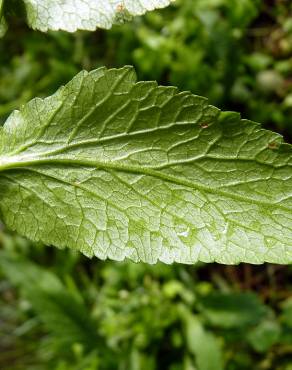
point(65, 317)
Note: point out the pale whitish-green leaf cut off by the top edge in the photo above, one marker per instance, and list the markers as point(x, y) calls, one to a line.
point(71, 15)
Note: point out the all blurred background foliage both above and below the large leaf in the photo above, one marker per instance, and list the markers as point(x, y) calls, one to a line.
point(61, 311)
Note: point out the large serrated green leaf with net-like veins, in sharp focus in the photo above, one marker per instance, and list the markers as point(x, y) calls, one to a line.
point(119, 169)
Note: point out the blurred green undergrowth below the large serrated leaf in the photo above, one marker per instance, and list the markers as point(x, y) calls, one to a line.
point(61, 312)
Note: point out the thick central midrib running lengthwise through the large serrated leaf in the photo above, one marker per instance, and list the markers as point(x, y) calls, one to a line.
point(139, 170)
